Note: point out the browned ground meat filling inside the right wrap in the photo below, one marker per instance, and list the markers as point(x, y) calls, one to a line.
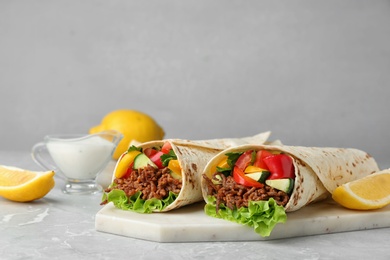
point(234, 195)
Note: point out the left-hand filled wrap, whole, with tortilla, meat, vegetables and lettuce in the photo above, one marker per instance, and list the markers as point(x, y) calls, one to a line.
point(163, 175)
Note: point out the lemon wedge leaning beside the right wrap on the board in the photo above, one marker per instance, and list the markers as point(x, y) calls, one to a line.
point(370, 192)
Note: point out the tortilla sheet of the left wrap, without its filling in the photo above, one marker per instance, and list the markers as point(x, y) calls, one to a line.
point(193, 157)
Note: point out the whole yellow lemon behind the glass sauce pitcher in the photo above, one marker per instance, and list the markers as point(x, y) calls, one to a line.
point(134, 125)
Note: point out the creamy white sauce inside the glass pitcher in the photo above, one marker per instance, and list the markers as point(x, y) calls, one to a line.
point(81, 159)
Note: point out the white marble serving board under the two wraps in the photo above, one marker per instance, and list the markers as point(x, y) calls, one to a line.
point(190, 224)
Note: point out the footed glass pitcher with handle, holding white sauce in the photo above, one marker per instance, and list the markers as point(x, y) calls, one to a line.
point(77, 158)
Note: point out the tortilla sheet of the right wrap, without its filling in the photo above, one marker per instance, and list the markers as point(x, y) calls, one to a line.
point(318, 171)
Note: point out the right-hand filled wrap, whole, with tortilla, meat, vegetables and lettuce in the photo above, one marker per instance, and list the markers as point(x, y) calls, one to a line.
point(255, 185)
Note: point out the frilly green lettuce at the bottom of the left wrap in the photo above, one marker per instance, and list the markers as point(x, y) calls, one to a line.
point(135, 203)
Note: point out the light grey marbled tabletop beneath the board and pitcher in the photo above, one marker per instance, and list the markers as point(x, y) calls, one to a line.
point(62, 226)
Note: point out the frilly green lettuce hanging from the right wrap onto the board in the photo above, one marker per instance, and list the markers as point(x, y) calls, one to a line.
point(261, 215)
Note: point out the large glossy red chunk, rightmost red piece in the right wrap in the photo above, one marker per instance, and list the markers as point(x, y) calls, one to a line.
point(280, 165)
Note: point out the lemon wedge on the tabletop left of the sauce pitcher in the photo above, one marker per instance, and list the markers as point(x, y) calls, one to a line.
point(22, 185)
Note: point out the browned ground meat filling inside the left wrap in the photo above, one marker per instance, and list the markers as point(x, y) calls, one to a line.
point(151, 182)
